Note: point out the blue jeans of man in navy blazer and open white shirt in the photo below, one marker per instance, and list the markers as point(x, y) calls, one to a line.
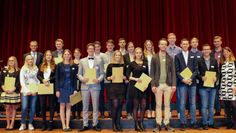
point(183, 91)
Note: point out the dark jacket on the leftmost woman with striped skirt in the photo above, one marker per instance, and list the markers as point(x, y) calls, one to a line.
point(4, 73)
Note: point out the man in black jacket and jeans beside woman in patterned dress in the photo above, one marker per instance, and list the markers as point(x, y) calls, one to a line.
point(207, 63)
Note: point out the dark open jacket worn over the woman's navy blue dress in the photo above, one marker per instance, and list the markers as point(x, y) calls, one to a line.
point(60, 75)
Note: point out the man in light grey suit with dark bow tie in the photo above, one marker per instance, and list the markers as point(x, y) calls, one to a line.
point(92, 89)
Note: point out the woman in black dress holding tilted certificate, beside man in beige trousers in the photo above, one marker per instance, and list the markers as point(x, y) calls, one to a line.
point(137, 67)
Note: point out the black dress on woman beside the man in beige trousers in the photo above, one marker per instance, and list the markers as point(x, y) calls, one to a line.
point(136, 70)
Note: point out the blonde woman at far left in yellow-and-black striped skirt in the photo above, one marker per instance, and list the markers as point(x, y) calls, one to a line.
point(10, 98)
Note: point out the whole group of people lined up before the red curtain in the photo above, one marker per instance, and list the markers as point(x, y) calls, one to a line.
point(165, 67)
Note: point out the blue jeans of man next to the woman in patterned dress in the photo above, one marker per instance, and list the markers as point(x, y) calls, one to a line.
point(208, 101)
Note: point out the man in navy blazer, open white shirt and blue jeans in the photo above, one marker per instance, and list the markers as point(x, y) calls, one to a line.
point(184, 60)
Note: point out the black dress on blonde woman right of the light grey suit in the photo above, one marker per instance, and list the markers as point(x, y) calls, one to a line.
point(116, 90)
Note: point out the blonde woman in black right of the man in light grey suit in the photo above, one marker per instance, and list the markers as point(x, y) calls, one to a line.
point(116, 92)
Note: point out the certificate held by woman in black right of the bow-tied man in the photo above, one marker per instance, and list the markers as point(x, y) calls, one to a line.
point(118, 73)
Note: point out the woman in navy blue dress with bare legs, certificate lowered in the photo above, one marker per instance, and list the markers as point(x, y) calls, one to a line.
point(65, 87)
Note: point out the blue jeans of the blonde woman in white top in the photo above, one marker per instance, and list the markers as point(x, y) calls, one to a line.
point(25, 101)
